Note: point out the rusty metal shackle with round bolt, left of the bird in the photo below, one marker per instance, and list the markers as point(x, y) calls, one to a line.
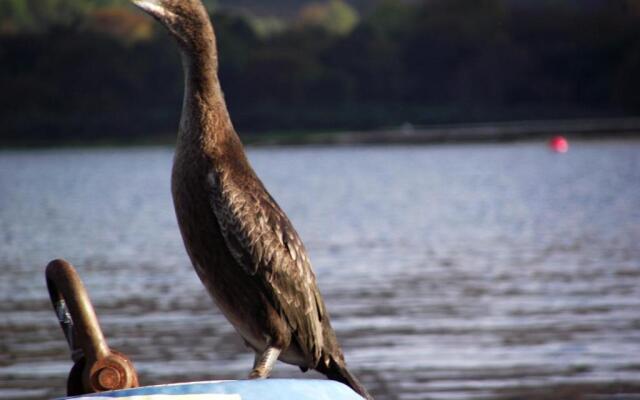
point(96, 367)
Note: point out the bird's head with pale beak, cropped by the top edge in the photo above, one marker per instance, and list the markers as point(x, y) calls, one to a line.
point(187, 20)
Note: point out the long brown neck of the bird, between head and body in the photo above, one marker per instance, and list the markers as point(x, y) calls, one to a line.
point(205, 121)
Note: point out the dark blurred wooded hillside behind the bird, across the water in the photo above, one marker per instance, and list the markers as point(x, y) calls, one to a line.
point(100, 70)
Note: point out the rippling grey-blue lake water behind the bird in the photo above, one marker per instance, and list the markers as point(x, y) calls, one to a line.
point(450, 271)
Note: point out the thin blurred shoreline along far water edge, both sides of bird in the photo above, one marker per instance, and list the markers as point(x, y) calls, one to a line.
point(407, 134)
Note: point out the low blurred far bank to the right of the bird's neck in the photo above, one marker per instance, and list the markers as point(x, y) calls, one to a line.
point(461, 133)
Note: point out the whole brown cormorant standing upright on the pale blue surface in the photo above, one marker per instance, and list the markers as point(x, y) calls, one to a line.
point(242, 245)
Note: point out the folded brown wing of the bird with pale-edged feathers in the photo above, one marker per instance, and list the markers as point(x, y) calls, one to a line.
point(263, 242)
